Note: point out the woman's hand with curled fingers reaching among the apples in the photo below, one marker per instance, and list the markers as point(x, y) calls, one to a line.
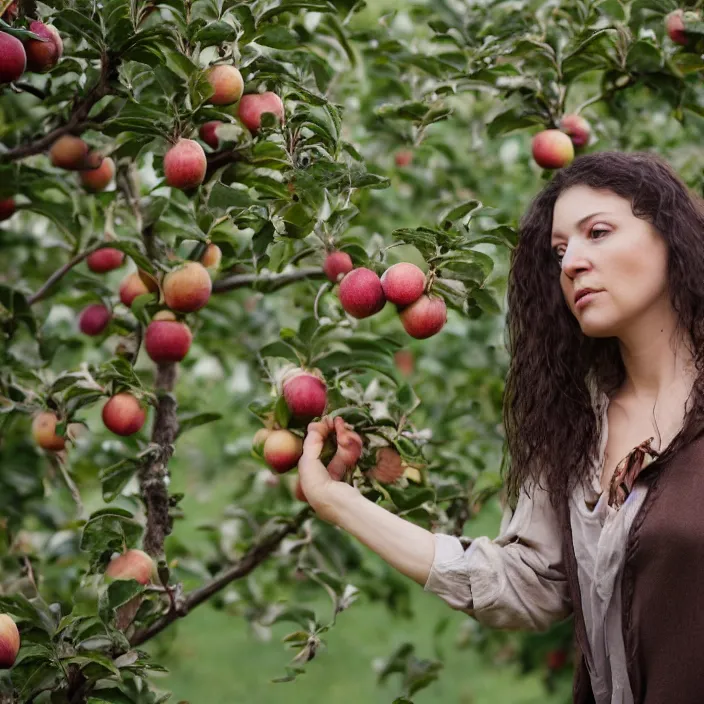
point(321, 485)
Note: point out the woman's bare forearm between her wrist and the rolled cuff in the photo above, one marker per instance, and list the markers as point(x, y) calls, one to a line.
point(407, 547)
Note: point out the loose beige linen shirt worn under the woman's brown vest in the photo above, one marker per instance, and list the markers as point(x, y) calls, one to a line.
point(517, 580)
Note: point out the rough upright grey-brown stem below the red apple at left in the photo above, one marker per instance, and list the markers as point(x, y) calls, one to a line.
point(153, 473)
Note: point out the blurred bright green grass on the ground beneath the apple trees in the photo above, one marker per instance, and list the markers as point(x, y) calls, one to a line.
point(215, 660)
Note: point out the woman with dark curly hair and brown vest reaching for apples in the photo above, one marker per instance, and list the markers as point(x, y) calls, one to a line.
point(603, 413)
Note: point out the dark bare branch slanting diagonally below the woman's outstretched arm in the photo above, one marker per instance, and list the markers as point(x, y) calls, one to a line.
point(256, 554)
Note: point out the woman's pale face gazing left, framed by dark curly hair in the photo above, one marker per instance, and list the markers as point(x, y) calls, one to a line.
point(601, 245)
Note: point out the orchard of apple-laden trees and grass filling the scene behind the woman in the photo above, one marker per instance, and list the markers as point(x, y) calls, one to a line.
point(402, 132)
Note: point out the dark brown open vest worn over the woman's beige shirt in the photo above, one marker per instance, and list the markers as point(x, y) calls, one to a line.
point(662, 586)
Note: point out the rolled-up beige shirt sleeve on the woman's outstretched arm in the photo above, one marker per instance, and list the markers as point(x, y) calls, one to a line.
point(515, 581)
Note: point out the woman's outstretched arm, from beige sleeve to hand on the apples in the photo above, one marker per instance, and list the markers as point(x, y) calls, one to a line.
point(515, 581)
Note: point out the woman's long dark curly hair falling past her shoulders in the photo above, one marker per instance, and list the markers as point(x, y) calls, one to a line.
point(552, 430)
